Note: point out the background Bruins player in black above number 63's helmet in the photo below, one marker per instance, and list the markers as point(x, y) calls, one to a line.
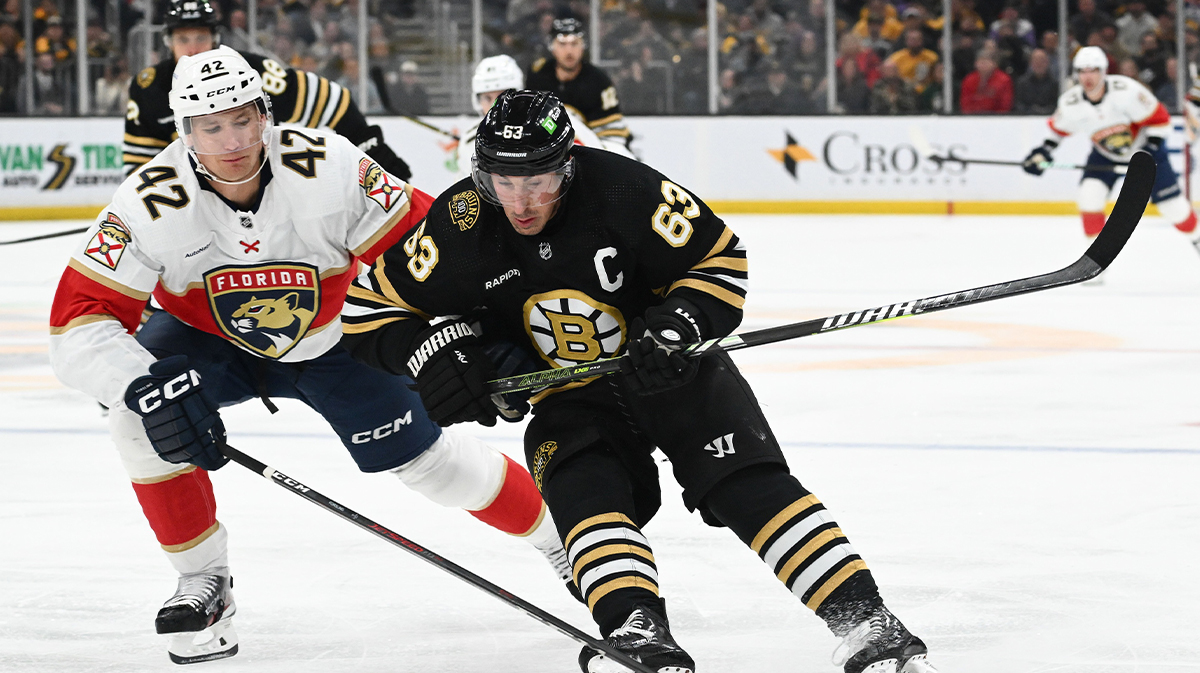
point(579, 85)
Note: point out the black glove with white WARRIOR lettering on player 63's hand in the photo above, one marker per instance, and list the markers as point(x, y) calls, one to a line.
point(452, 374)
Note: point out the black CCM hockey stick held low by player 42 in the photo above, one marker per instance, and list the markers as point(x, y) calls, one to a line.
point(428, 556)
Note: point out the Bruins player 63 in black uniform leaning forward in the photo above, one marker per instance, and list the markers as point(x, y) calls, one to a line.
point(577, 254)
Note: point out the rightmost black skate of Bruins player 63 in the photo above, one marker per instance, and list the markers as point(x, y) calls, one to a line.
point(881, 645)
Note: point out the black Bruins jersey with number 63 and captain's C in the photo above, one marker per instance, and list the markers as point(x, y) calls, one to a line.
point(623, 239)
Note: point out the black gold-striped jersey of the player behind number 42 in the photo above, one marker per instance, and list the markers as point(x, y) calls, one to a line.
point(297, 98)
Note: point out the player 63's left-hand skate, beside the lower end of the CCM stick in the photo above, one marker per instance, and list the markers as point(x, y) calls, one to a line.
point(646, 639)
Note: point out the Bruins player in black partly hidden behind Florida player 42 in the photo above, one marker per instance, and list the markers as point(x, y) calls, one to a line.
point(193, 28)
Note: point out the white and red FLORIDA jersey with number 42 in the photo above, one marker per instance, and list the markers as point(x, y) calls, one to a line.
point(271, 279)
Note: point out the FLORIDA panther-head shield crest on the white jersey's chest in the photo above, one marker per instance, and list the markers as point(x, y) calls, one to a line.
point(266, 309)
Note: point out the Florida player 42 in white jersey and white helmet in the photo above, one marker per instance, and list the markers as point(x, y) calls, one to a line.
point(249, 237)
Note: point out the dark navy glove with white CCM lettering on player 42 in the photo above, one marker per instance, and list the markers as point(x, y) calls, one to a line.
point(181, 419)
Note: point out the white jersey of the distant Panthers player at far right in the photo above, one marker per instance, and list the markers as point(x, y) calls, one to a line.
point(1119, 124)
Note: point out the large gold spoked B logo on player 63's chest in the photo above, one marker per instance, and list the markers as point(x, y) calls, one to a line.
point(569, 328)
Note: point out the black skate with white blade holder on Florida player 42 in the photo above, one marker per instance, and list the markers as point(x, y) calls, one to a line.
point(199, 618)
